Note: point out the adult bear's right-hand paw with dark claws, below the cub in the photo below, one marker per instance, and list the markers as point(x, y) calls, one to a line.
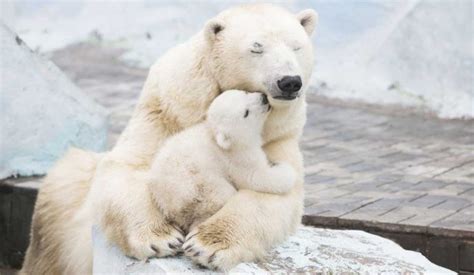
point(214, 254)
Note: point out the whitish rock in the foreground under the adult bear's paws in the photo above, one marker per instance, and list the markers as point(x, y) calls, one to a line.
point(310, 250)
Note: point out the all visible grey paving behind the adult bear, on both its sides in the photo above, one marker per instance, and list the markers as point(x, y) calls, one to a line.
point(361, 164)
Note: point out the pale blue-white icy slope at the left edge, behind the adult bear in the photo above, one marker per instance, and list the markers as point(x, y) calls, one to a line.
point(42, 113)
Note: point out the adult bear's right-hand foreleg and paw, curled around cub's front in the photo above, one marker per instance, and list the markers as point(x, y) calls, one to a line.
point(249, 223)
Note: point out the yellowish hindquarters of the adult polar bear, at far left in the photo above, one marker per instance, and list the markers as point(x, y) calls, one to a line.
point(59, 201)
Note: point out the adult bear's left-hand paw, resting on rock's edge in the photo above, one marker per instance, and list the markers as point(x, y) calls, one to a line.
point(154, 242)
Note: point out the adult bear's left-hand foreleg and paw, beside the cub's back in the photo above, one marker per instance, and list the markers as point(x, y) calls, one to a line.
point(127, 215)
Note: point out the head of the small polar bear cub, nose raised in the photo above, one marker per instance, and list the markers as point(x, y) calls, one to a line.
point(235, 118)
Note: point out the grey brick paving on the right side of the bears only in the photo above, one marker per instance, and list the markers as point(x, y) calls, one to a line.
point(392, 169)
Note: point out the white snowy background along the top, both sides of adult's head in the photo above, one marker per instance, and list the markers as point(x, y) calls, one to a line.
point(415, 53)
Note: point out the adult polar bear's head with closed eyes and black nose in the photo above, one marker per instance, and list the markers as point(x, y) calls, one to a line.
point(262, 48)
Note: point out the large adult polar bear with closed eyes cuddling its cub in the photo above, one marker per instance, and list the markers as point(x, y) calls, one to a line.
point(255, 48)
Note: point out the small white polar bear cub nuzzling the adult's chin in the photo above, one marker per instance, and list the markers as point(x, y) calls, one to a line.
point(199, 169)
